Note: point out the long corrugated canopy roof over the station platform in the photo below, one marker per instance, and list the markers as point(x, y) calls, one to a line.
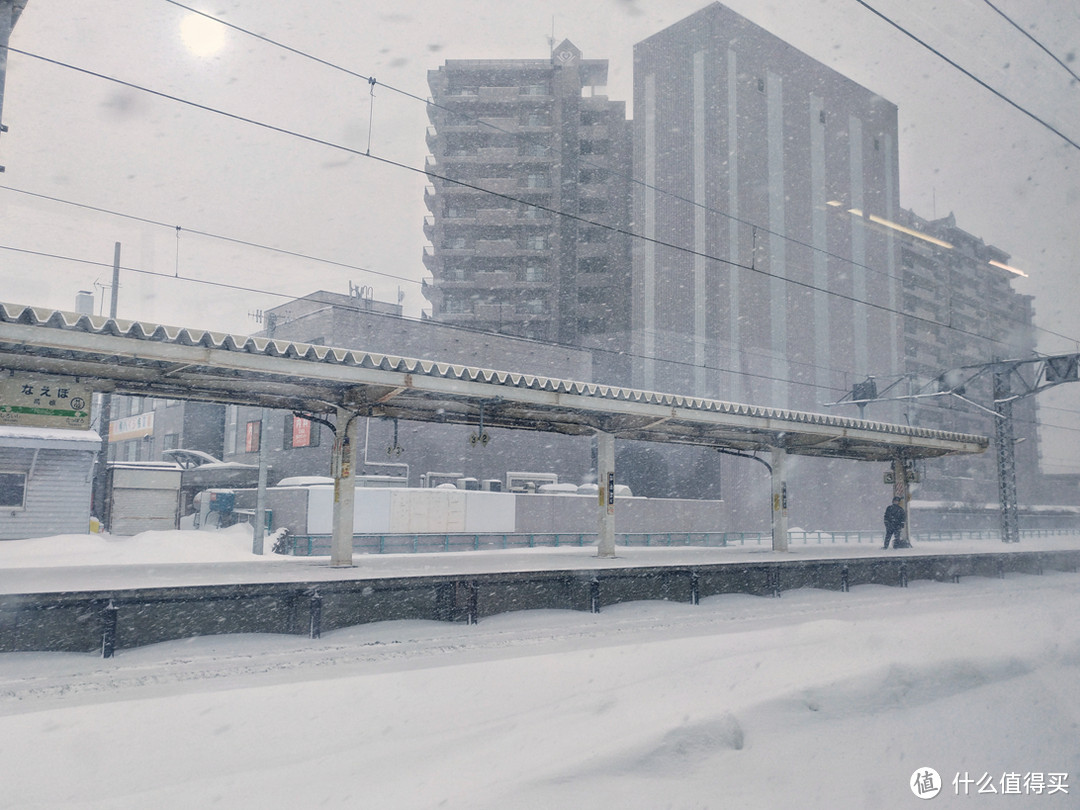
point(134, 358)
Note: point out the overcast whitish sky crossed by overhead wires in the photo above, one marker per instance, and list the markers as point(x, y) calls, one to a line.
point(82, 139)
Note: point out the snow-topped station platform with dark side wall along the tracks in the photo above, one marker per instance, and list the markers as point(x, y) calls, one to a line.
point(109, 607)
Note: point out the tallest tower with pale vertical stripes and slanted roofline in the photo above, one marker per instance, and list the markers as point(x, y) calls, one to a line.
point(765, 275)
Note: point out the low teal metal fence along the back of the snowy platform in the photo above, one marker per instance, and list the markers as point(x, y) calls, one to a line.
point(420, 544)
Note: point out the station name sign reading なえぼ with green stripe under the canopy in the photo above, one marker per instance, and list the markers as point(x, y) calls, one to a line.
point(45, 401)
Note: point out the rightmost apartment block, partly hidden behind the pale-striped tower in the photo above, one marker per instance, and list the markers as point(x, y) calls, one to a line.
point(961, 313)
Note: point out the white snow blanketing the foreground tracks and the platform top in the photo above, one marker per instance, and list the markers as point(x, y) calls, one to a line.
point(814, 700)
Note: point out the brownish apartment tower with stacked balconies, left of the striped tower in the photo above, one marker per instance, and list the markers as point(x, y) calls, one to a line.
point(529, 174)
